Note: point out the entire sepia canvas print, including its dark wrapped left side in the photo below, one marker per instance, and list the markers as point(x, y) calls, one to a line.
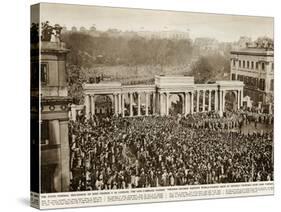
point(134, 105)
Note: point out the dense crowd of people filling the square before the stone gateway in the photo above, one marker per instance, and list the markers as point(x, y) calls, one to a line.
point(119, 153)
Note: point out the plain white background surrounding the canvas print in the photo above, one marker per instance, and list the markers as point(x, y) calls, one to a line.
point(14, 107)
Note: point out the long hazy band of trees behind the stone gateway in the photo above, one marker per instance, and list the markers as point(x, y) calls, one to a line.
point(87, 50)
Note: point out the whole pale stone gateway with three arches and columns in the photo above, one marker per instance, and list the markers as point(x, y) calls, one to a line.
point(137, 100)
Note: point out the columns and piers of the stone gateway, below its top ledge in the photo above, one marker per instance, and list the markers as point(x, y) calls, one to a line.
point(205, 99)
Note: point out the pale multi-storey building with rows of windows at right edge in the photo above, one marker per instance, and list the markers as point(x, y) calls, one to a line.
point(254, 66)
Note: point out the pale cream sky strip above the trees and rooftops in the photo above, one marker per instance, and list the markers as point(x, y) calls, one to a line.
point(226, 28)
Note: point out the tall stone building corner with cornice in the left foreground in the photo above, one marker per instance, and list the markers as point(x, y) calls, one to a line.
point(54, 144)
